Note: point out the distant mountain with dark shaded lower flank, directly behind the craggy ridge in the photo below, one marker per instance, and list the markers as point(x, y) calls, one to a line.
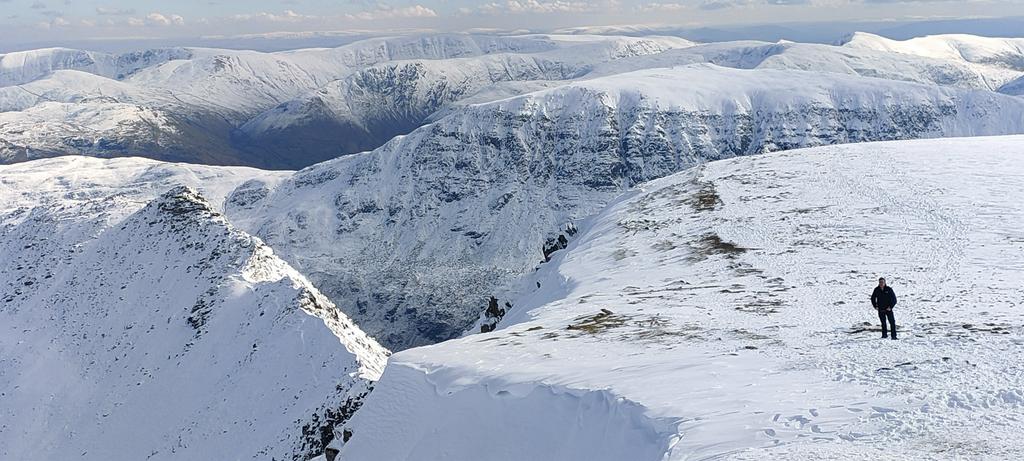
point(372, 106)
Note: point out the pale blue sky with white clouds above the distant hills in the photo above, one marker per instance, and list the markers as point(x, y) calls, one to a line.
point(60, 22)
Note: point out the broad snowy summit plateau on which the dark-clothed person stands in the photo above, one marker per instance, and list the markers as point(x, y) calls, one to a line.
point(722, 313)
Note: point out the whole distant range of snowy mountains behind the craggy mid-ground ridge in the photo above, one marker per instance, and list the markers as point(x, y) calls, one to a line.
point(292, 109)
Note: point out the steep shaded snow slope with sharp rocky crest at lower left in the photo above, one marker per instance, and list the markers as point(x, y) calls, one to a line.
point(147, 329)
